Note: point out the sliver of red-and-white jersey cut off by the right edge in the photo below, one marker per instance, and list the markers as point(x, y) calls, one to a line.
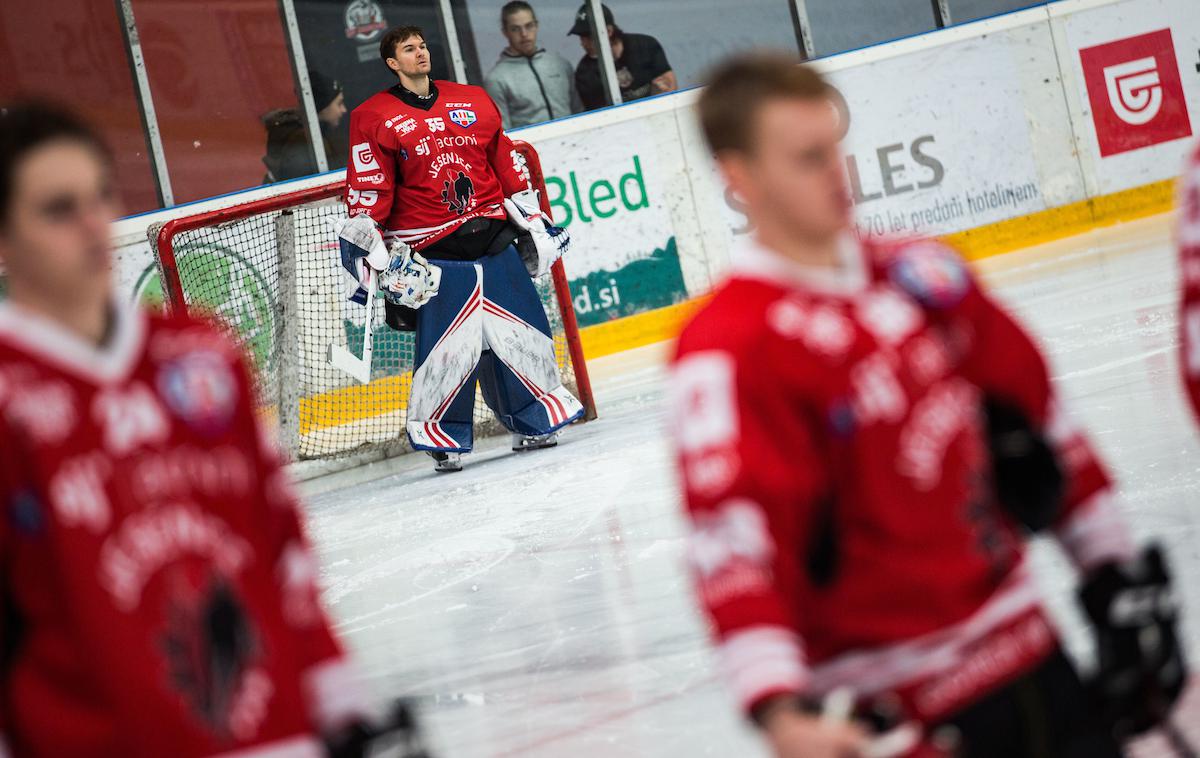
point(1190, 276)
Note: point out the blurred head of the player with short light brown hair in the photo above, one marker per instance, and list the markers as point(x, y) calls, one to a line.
point(775, 127)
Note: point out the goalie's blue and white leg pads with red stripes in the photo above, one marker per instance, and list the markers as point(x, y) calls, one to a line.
point(487, 326)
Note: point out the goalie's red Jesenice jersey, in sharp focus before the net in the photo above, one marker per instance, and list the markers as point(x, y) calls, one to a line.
point(423, 166)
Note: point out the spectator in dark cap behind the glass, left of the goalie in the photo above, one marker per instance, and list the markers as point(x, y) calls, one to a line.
point(289, 155)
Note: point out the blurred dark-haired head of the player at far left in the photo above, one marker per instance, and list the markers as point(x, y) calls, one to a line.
point(57, 206)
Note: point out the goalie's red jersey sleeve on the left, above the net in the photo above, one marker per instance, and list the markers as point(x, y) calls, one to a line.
point(371, 171)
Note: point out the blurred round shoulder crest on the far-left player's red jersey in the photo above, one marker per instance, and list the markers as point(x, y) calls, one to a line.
point(200, 388)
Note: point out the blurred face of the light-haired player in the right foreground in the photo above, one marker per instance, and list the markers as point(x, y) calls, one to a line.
point(793, 175)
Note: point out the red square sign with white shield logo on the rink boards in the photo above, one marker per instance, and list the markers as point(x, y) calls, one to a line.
point(1136, 92)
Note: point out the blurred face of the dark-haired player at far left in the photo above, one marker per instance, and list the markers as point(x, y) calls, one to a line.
point(55, 239)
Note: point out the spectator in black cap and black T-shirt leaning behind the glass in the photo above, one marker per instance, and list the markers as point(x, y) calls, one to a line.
point(643, 68)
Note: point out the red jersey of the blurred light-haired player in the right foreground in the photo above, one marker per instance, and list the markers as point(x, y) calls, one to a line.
point(844, 532)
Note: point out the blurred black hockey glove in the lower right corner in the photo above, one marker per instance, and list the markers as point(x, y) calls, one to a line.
point(1141, 670)
